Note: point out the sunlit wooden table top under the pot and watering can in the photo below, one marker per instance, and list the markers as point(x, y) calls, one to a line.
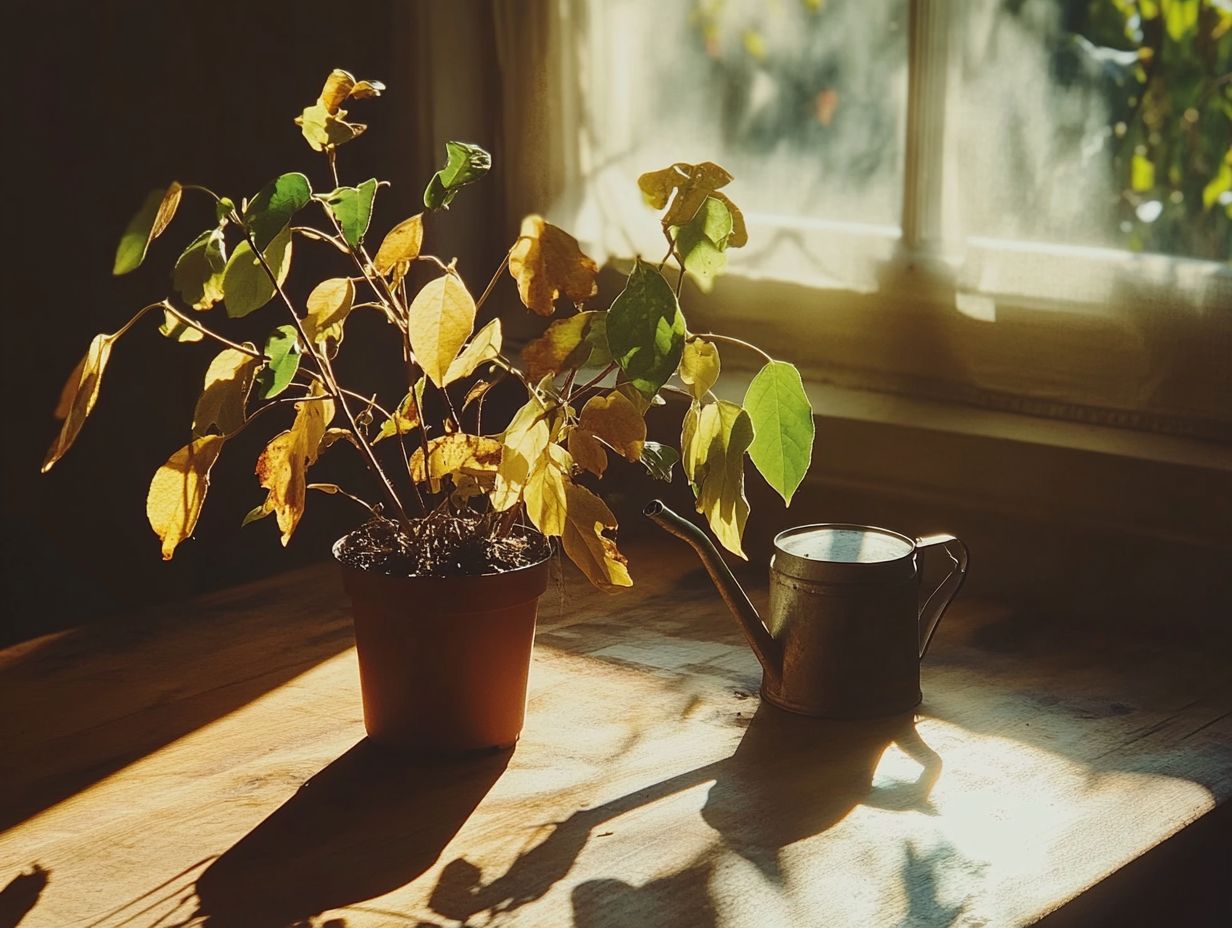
point(206, 766)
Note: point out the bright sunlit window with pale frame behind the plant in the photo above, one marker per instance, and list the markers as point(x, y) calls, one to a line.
point(1018, 204)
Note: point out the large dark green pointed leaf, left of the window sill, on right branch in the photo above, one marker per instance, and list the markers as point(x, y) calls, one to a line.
point(646, 330)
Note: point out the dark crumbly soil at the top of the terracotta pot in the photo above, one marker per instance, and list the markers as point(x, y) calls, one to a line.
point(454, 547)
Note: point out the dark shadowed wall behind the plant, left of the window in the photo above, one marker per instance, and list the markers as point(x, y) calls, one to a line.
point(105, 103)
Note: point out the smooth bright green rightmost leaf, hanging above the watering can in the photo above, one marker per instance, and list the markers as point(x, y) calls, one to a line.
point(783, 427)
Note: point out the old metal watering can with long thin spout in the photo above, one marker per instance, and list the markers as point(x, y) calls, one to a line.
point(846, 633)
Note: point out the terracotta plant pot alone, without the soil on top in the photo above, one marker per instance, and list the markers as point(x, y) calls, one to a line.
point(444, 660)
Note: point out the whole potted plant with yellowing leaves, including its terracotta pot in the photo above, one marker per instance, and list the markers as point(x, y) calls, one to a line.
point(447, 571)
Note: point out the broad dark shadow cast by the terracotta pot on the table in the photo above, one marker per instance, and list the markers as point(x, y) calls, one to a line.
point(367, 825)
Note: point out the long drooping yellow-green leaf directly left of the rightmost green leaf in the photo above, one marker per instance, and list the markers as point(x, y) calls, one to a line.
point(714, 448)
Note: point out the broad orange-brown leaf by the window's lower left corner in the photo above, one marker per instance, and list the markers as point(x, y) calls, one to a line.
point(548, 263)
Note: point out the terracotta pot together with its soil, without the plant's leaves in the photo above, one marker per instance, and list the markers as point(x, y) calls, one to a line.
point(444, 629)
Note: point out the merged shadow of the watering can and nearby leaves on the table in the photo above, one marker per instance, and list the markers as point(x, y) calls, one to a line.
point(790, 778)
